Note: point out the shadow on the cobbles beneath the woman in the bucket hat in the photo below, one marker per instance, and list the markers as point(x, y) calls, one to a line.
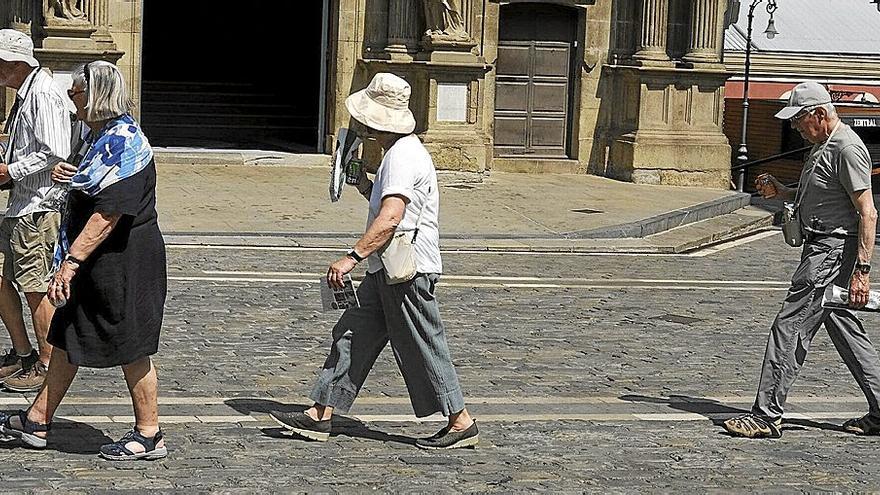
point(342, 425)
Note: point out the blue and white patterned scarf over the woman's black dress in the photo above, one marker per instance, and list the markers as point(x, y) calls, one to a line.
point(119, 151)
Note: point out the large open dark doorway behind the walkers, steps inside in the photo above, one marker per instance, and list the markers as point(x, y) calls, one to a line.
point(232, 75)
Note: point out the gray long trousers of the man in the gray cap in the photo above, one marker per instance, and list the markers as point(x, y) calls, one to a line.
point(824, 260)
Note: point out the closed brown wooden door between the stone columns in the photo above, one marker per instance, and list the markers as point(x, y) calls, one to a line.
point(534, 76)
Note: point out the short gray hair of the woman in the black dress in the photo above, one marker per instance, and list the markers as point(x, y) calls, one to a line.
point(106, 91)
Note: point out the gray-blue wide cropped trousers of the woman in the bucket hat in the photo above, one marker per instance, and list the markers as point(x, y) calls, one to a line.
point(408, 316)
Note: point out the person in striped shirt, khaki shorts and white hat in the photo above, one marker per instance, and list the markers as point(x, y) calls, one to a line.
point(39, 128)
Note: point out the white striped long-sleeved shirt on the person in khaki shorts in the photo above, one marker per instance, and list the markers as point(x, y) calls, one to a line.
point(39, 139)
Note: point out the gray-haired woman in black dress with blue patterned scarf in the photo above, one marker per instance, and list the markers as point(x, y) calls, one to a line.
point(110, 278)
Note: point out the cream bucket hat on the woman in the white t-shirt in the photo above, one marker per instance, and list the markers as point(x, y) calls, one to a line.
point(383, 105)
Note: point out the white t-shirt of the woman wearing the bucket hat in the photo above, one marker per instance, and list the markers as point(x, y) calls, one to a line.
point(407, 170)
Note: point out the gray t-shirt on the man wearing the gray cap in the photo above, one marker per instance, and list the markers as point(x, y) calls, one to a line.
point(843, 168)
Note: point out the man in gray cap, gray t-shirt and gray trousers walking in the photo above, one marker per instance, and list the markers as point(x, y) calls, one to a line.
point(839, 222)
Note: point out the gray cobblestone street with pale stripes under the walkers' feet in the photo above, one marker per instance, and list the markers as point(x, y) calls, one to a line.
point(598, 374)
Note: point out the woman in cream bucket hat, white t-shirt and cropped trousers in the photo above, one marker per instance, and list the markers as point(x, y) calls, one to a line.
point(404, 198)
